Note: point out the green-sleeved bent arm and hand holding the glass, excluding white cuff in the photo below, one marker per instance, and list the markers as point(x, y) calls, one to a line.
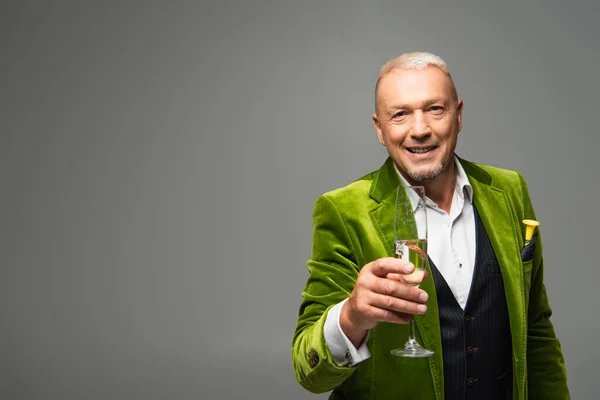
point(376, 292)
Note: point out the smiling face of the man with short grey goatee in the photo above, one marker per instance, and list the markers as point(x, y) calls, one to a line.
point(418, 120)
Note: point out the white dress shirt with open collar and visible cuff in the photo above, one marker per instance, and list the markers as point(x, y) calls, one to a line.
point(451, 247)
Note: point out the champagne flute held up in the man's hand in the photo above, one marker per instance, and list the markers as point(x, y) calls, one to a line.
point(410, 244)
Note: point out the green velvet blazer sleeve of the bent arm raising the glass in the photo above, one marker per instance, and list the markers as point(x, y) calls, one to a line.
point(332, 276)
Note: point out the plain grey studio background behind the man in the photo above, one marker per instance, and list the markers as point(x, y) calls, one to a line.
point(159, 163)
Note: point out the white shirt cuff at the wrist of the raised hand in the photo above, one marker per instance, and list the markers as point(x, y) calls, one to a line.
point(341, 348)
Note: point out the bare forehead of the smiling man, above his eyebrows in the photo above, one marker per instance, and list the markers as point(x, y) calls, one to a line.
point(414, 86)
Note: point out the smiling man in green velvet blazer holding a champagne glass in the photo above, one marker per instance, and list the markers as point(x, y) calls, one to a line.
point(483, 309)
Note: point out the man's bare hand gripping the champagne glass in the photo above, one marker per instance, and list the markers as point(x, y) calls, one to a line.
point(381, 295)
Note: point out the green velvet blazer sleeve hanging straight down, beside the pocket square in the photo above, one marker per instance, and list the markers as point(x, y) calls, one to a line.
point(546, 372)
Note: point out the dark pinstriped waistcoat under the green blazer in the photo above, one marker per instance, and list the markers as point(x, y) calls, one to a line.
point(476, 342)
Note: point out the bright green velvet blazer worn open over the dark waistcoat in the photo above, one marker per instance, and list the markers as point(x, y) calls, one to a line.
point(354, 226)
